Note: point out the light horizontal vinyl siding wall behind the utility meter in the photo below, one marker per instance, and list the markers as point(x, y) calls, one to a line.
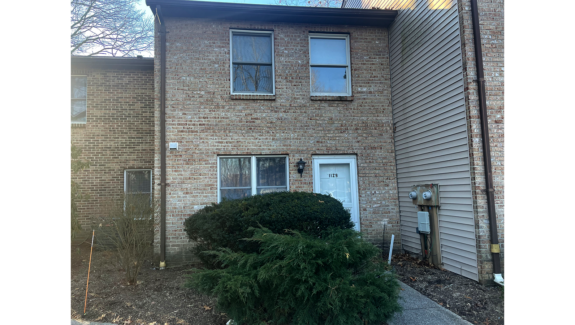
point(431, 139)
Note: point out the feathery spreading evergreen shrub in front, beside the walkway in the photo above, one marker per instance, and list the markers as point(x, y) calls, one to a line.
point(302, 279)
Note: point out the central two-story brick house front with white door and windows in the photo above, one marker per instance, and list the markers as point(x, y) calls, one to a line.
point(343, 129)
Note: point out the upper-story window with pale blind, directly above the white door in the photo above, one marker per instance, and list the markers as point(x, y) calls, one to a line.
point(330, 71)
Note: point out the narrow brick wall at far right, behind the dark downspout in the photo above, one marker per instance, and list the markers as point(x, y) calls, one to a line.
point(492, 26)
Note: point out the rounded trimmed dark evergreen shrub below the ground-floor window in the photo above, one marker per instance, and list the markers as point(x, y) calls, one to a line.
point(226, 223)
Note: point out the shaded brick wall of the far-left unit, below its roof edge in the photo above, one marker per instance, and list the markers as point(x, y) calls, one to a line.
point(118, 134)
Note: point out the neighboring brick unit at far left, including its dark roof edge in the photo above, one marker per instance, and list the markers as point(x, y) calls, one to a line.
point(112, 121)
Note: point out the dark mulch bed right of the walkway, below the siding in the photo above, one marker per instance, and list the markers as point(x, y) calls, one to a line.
point(472, 301)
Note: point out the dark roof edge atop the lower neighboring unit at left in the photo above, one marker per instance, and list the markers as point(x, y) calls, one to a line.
point(113, 63)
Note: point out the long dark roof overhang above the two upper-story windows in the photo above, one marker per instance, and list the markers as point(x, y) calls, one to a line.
point(272, 14)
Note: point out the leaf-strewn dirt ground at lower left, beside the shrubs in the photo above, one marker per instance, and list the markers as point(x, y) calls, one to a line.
point(159, 298)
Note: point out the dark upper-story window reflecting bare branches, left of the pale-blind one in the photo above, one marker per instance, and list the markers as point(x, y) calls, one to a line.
point(252, 62)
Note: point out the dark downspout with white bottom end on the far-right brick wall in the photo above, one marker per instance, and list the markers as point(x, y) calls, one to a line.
point(495, 250)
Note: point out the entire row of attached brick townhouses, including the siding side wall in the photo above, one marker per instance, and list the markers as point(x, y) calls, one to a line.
point(373, 100)
